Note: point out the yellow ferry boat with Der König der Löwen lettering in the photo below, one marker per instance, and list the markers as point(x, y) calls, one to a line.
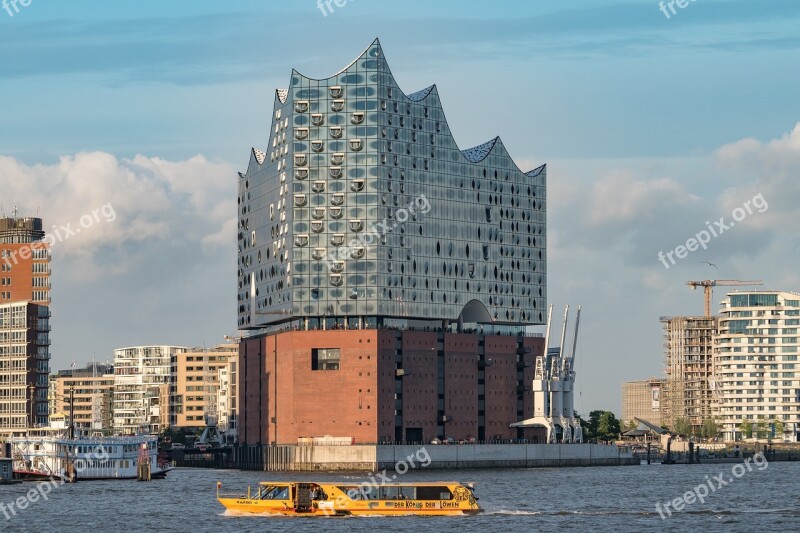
point(344, 499)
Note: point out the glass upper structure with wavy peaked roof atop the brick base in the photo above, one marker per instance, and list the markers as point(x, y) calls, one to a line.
point(363, 209)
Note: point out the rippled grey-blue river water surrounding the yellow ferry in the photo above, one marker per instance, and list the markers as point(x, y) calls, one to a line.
point(765, 498)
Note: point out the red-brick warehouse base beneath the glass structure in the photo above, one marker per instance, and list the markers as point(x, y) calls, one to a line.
point(388, 386)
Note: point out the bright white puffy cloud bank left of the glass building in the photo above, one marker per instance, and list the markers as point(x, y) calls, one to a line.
point(128, 201)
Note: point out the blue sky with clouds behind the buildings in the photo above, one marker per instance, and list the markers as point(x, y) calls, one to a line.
point(129, 121)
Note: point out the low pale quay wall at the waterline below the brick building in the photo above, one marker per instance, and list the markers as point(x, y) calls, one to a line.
point(374, 458)
